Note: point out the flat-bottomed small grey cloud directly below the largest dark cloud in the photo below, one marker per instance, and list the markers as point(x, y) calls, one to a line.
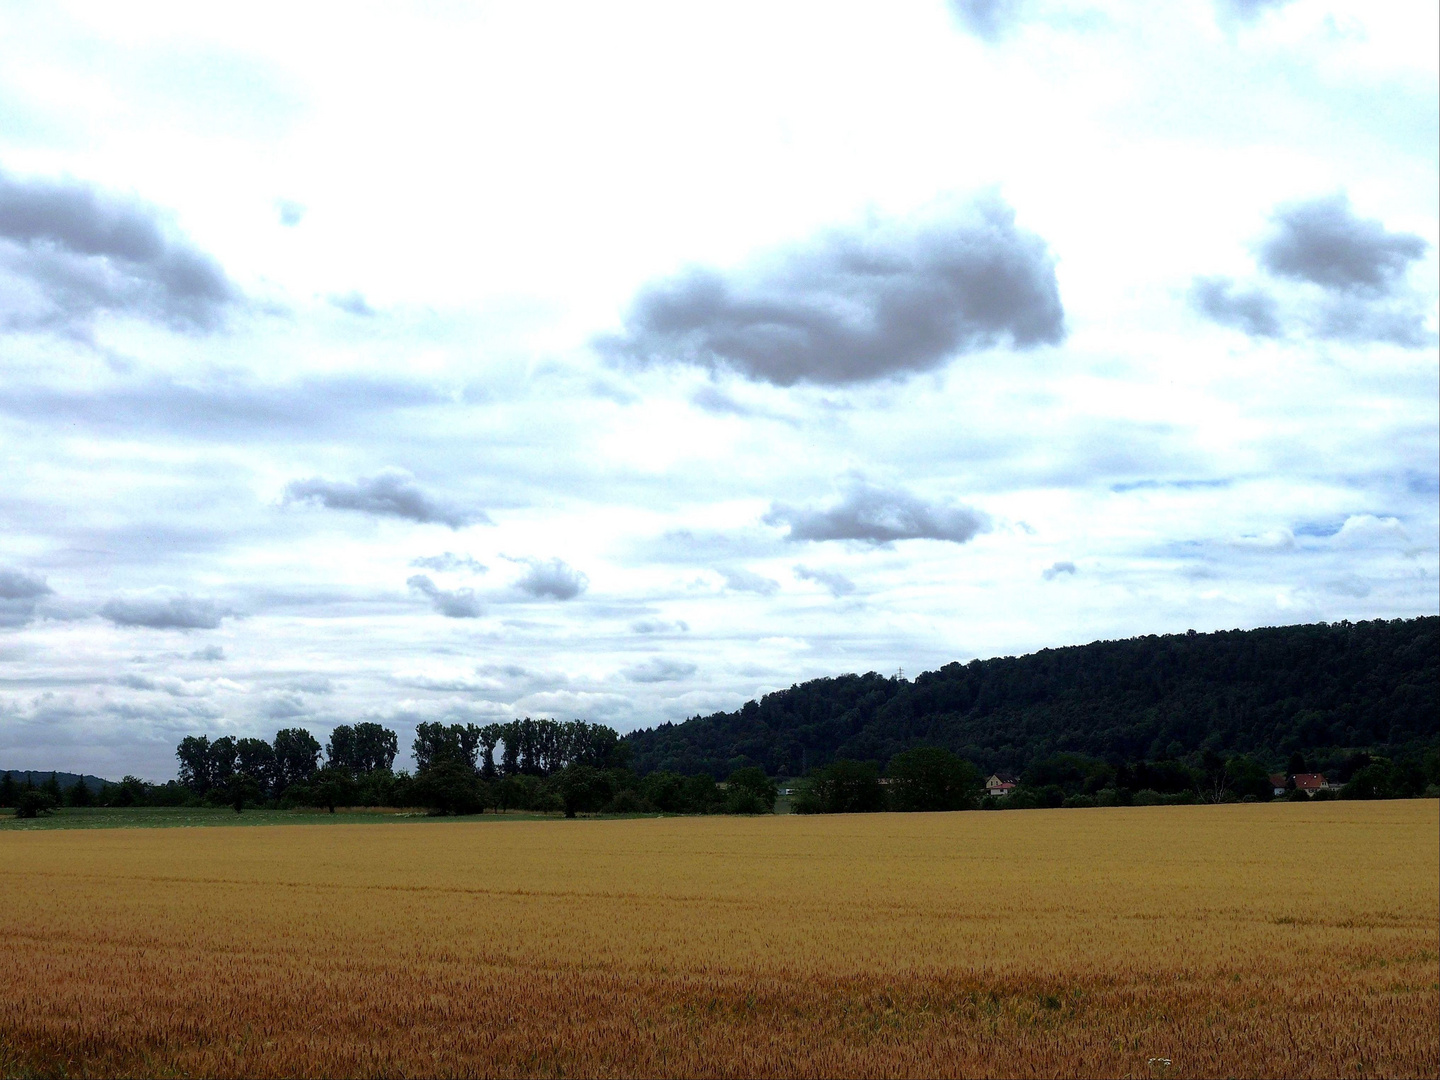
point(881, 516)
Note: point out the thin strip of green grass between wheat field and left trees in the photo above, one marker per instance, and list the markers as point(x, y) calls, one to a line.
point(202, 817)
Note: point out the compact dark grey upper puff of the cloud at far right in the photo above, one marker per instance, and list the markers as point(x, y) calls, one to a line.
point(1326, 243)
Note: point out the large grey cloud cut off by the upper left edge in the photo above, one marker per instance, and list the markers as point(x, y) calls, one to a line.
point(73, 251)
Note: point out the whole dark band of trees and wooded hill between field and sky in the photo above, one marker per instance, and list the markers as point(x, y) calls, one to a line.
point(1194, 718)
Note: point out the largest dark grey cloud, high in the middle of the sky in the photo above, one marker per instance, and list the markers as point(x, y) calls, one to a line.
point(873, 303)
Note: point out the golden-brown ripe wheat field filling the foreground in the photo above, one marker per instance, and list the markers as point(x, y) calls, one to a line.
point(1186, 941)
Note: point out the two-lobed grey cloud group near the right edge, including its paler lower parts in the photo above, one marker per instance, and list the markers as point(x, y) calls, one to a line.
point(1344, 276)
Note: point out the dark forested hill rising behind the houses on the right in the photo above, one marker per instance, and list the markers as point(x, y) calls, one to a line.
point(1323, 690)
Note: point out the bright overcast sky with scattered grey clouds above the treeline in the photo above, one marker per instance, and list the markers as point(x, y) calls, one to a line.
point(626, 362)
